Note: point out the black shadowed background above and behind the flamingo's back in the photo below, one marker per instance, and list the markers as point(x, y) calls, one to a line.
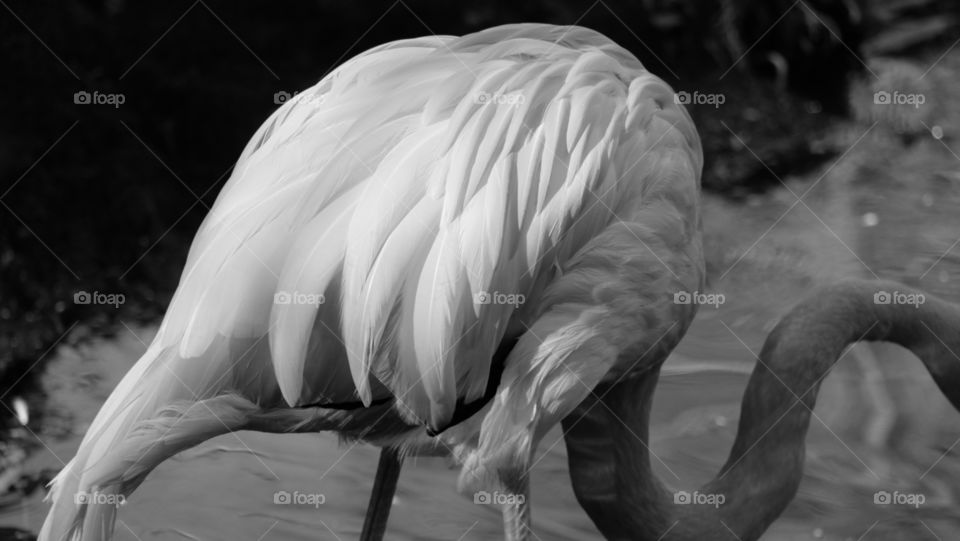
point(102, 198)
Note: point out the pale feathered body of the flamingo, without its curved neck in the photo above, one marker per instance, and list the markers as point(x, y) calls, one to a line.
point(447, 242)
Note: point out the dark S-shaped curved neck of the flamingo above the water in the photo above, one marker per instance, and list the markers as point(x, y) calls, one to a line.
point(765, 465)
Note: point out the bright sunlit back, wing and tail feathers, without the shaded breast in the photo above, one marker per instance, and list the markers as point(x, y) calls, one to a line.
point(374, 231)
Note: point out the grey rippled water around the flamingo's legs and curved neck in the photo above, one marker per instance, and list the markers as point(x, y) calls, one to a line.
point(870, 216)
